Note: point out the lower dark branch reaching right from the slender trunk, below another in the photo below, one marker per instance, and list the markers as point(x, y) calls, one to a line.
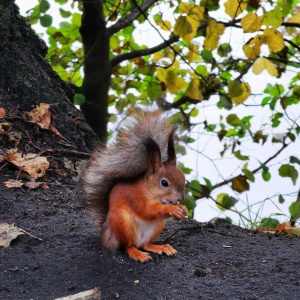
point(138, 53)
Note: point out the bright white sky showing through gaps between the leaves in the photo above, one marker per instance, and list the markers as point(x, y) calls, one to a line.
point(203, 167)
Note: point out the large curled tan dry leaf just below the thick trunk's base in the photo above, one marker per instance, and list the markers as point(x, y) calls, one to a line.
point(33, 164)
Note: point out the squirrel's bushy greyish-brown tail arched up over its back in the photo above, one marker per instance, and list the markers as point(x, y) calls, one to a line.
point(125, 157)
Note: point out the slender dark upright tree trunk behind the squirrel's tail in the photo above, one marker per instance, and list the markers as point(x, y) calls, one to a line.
point(97, 70)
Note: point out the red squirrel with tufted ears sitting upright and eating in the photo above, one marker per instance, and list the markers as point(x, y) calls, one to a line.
point(134, 185)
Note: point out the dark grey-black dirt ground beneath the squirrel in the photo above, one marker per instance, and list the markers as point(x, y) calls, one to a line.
point(215, 260)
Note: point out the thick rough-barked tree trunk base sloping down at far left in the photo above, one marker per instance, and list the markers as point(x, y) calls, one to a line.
point(27, 80)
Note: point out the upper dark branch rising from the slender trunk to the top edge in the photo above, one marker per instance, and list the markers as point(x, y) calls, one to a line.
point(134, 14)
